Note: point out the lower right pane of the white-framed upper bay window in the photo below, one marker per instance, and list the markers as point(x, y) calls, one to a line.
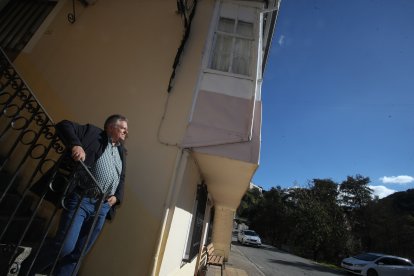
point(242, 56)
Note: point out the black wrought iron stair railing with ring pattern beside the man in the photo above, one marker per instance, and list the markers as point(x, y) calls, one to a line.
point(30, 149)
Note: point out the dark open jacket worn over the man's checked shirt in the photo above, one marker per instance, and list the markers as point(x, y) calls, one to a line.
point(93, 140)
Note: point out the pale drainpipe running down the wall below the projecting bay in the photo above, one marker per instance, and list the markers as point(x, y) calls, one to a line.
point(173, 192)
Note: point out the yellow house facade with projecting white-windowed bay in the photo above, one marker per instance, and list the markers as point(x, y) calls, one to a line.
point(188, 76)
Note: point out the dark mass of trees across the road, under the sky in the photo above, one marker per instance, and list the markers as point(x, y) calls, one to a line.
point(327, 221)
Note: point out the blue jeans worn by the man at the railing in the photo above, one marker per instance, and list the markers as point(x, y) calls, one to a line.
point(77, 234)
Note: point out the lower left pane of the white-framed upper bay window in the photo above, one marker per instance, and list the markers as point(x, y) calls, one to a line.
point(221, 53)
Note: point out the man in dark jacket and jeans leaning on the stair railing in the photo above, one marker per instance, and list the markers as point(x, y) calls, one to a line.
point(103, 152)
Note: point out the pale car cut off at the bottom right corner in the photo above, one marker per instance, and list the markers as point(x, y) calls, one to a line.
point(374, 264)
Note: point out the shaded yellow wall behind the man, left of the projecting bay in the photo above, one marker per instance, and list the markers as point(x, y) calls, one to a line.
point(117, 58)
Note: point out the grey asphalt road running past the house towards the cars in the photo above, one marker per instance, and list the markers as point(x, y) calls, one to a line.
point(270, 261)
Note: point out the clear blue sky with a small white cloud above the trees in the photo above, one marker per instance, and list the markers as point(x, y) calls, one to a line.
point(338, 94)
